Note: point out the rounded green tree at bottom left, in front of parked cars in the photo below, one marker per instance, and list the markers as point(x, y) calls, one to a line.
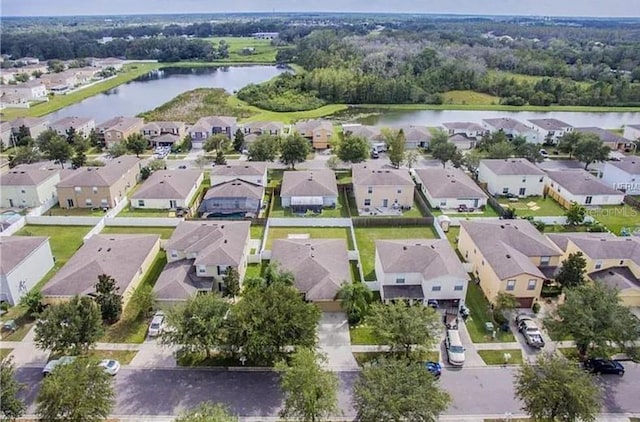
point(80, 391)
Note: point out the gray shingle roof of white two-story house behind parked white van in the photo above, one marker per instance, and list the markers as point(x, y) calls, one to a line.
point(429, 257)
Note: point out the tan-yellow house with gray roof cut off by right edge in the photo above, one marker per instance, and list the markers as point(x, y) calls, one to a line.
point(614, 261)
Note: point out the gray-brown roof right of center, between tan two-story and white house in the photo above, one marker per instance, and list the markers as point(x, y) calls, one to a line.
point(448, 183)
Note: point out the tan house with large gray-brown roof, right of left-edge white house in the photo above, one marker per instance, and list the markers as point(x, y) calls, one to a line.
point(125, 257)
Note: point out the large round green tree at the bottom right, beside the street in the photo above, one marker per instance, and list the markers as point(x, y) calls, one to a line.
point(553, 390)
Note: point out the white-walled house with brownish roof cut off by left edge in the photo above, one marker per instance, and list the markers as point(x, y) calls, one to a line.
point(24, 261)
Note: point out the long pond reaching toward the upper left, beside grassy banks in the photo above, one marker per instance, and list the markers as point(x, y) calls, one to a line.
point(158, 87)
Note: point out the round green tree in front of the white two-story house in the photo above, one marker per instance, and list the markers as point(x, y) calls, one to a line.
point(402, 326)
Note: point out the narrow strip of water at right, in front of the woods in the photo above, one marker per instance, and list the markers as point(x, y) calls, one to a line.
point(386, 117)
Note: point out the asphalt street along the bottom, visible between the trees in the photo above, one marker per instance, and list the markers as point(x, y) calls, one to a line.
point(475, 391)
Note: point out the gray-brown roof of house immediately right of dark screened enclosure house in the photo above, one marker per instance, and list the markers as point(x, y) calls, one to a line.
point(309, 183)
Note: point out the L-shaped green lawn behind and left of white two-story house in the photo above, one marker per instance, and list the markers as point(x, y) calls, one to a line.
point(366, 237)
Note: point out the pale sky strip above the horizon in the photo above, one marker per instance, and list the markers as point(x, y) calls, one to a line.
point(594, 8)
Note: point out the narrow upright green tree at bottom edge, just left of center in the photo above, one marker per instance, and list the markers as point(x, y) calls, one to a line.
point(310, 391)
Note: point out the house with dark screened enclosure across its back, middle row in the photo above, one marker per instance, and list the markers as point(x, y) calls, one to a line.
point(233, 198)
